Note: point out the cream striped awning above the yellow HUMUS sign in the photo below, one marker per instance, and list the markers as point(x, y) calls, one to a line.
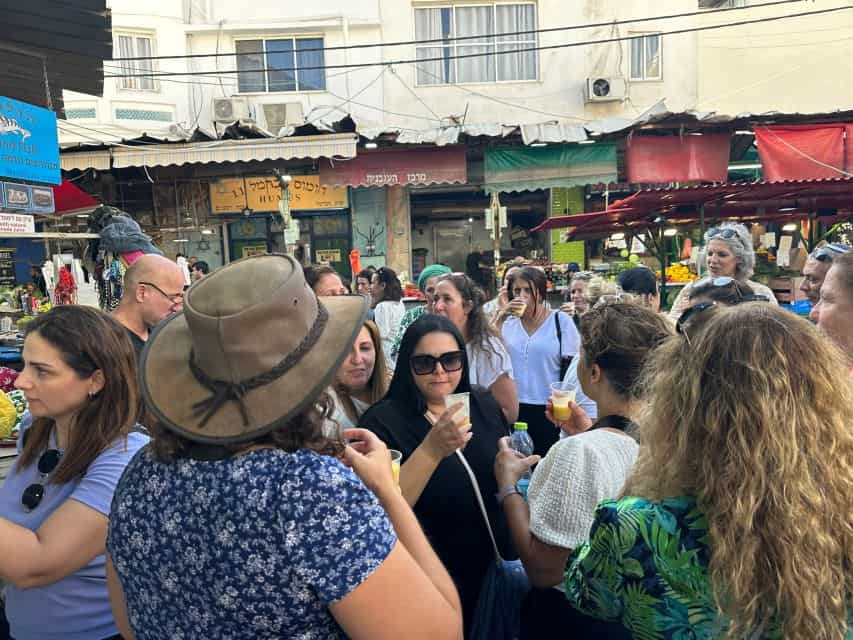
point(162, 155)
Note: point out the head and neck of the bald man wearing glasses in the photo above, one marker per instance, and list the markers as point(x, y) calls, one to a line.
point(153, 288)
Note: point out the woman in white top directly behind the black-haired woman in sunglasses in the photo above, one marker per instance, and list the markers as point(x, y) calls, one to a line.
point(460, 300)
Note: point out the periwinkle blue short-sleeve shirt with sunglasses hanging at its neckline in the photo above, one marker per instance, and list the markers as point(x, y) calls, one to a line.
point(77, 606)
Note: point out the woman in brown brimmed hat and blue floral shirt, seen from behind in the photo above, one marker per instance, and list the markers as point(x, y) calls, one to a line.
point(243, 520)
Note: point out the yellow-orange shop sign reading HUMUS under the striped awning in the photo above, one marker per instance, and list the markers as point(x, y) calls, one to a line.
point(262, 194)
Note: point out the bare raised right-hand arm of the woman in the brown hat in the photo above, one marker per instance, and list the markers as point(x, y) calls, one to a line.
point(411, 594)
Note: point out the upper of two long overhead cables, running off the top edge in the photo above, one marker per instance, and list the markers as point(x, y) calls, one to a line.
point(479, 37)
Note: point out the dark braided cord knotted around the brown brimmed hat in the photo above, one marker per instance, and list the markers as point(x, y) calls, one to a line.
point(223, 391)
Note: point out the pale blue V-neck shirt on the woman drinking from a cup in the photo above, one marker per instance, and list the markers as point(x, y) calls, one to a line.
point(536, 358)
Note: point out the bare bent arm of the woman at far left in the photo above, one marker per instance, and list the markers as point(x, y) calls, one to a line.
point(70, 538)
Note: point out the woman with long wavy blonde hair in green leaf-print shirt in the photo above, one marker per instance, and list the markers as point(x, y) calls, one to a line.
point(745, 524)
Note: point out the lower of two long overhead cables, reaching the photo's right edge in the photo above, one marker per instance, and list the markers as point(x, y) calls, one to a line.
point(495, 53)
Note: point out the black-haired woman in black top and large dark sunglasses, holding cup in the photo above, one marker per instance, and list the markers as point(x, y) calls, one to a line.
point(412, 418)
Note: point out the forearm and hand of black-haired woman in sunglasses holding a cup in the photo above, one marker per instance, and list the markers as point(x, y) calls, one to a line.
point(443, 439)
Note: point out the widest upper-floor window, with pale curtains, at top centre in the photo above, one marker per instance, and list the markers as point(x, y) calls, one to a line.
point(481, 23)
